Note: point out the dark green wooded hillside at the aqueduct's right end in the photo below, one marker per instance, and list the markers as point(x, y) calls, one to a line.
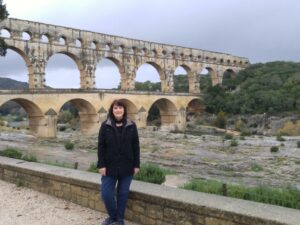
point(272, 87)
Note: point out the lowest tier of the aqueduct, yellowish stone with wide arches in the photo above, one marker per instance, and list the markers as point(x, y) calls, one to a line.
point(43, 106)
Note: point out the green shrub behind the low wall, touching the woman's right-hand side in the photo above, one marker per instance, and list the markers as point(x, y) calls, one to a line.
point(151, 173)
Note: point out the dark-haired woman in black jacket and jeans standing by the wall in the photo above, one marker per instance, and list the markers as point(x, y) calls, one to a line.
point(118, 160)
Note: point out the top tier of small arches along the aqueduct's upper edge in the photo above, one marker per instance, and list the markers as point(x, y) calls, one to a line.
point(57, 35)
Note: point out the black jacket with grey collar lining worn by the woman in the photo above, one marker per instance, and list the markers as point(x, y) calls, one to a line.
point(120, 154)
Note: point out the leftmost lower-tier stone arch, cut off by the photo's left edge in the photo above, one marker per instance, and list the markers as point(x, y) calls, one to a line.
point(34, 113)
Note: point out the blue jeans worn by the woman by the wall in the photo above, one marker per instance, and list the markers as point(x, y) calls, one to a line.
point(115, 203)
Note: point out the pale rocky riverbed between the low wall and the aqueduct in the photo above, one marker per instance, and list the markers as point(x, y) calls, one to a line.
point(190, 156)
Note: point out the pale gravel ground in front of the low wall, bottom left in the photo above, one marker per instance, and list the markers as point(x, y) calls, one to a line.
point(23, 206)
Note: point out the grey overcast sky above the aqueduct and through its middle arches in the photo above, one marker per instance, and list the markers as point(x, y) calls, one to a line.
point(261, 30)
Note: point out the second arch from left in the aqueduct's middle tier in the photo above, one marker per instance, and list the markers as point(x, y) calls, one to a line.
point(75, 59)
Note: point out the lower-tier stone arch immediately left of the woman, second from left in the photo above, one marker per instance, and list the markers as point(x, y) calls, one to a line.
point(88, 117)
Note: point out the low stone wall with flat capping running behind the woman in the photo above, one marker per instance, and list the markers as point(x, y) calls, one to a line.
point(148, 204)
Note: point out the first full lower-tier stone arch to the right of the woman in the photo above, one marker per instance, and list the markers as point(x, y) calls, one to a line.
point(167, 112)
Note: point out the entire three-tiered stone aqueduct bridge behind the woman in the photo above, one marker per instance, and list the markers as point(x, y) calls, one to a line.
point(87, 49)
